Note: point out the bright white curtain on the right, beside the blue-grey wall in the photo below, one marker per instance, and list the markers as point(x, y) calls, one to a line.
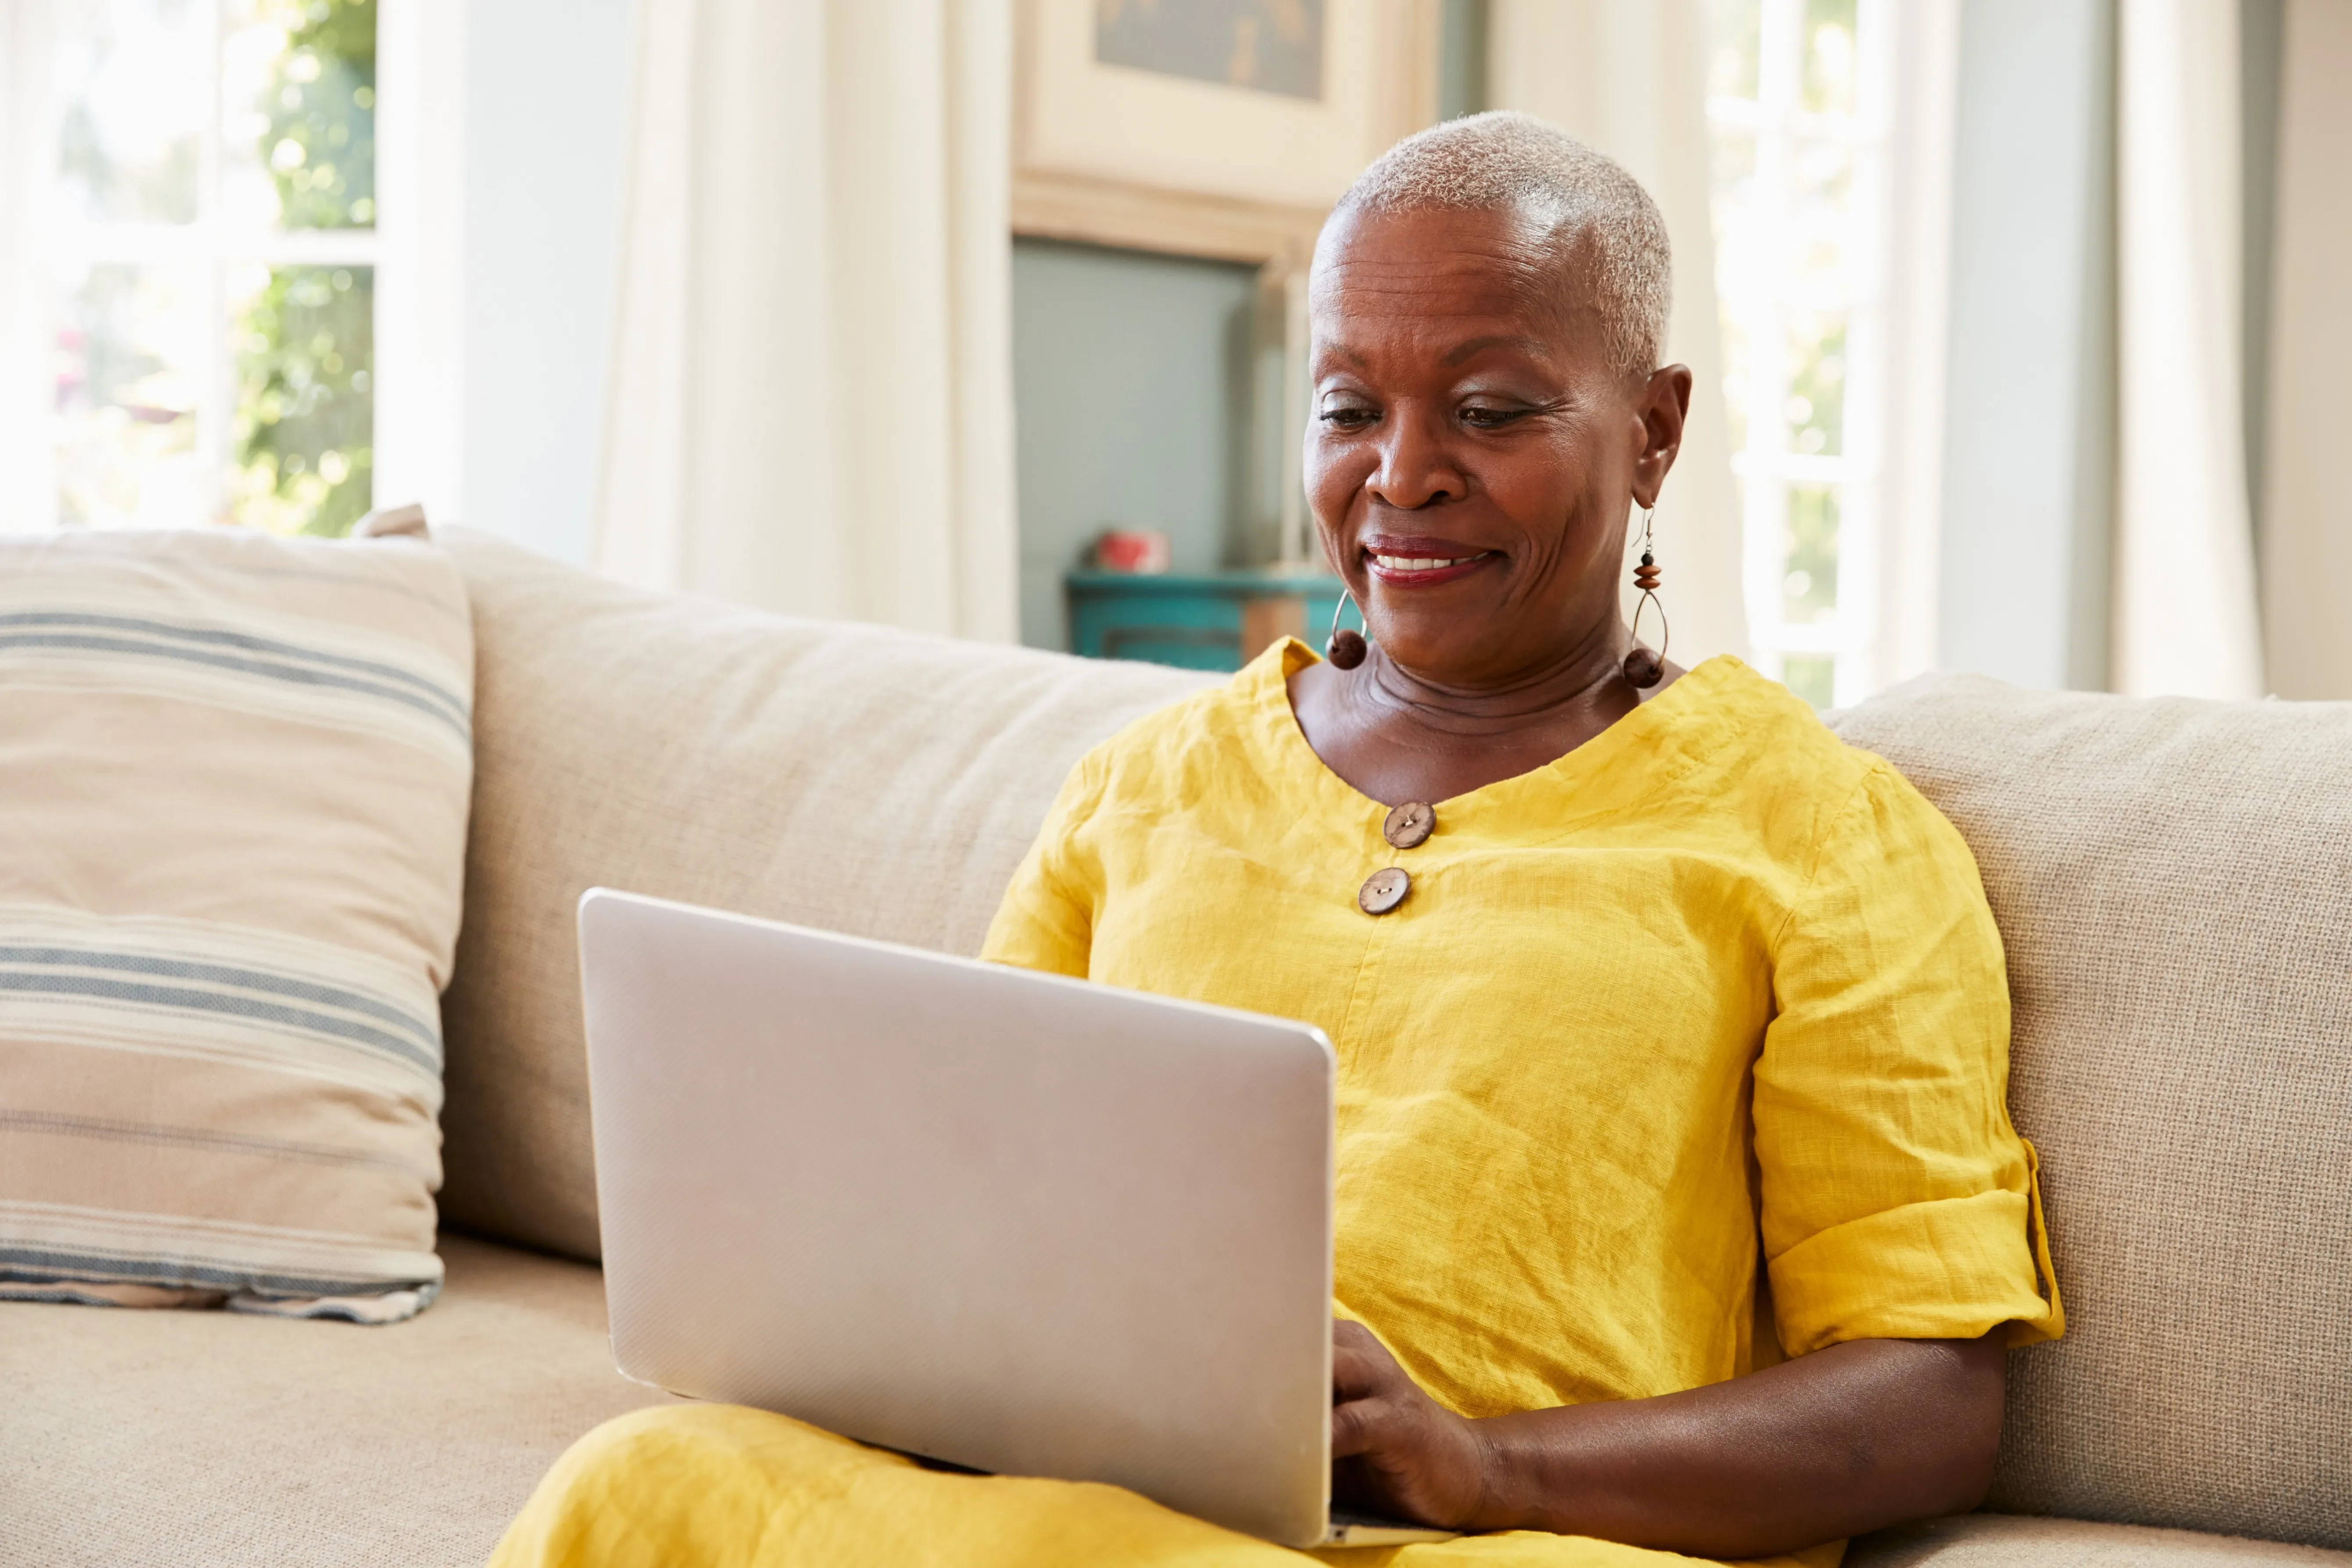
point(2184, 591)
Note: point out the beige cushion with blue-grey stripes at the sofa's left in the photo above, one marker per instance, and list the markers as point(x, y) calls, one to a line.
point(234, 784)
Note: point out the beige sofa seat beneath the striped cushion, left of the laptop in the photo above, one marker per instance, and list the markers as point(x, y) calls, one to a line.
point(203, 1438)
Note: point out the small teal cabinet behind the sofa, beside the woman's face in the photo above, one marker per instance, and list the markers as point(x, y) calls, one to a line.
point(1198, 622)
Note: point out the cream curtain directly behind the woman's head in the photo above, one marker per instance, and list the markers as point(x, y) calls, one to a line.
point(1631, 83)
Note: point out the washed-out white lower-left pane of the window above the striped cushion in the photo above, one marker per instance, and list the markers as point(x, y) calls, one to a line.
point(131, 363)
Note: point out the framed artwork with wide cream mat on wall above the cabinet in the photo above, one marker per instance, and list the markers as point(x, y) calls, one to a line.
point(1212, 128)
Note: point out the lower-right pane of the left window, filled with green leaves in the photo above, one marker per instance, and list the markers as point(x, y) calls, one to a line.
point(305, 424)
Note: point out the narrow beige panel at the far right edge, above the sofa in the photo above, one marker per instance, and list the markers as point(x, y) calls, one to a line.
point(2308, 483)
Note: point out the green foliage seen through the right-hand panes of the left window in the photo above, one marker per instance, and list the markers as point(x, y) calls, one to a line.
point(307, 337)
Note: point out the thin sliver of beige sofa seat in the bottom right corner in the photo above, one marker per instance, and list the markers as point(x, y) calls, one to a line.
point(2012, 1541)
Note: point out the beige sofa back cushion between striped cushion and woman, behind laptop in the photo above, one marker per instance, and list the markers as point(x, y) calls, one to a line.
point(841, 777)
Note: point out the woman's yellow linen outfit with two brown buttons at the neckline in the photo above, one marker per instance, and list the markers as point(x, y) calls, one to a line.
point(1713, 991)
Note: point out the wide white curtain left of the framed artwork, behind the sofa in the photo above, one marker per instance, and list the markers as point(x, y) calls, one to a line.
point(813, 363)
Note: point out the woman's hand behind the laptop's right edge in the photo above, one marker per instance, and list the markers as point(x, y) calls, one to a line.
point(1396, 1449)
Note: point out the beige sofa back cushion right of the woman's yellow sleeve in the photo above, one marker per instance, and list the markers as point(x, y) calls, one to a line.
point(2174, 890)
